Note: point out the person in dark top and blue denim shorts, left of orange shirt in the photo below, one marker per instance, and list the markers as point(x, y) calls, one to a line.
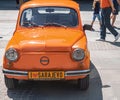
point(96, 12)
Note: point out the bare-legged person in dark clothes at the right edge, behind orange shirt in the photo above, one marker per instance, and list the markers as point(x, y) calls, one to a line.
point(114, 14)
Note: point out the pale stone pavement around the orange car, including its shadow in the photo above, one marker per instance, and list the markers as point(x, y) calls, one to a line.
point(105, 64)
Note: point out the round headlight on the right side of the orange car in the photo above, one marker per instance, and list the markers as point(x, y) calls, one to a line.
point(78, 54)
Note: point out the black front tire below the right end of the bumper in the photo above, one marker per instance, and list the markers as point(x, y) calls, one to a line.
point(83, 84)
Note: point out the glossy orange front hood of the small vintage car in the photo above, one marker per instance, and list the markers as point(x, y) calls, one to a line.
point(47, 39)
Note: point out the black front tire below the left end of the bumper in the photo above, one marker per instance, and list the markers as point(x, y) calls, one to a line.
point(10, 82)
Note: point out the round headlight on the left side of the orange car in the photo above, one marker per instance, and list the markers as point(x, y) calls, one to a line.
point(11, 54)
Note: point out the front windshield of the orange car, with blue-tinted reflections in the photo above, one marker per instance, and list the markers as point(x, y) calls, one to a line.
point(49, 16)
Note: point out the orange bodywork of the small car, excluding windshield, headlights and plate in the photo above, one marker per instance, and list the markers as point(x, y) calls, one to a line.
point(48, 48)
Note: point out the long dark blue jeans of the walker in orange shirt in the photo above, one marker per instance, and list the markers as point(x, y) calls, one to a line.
point(105, 17)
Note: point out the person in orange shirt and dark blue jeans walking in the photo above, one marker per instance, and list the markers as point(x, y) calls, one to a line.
point(106, 8)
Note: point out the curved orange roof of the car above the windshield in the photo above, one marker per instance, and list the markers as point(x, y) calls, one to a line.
point(62, 3)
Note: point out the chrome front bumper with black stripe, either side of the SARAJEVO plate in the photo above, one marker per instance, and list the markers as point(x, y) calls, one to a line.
point(25, 73)
